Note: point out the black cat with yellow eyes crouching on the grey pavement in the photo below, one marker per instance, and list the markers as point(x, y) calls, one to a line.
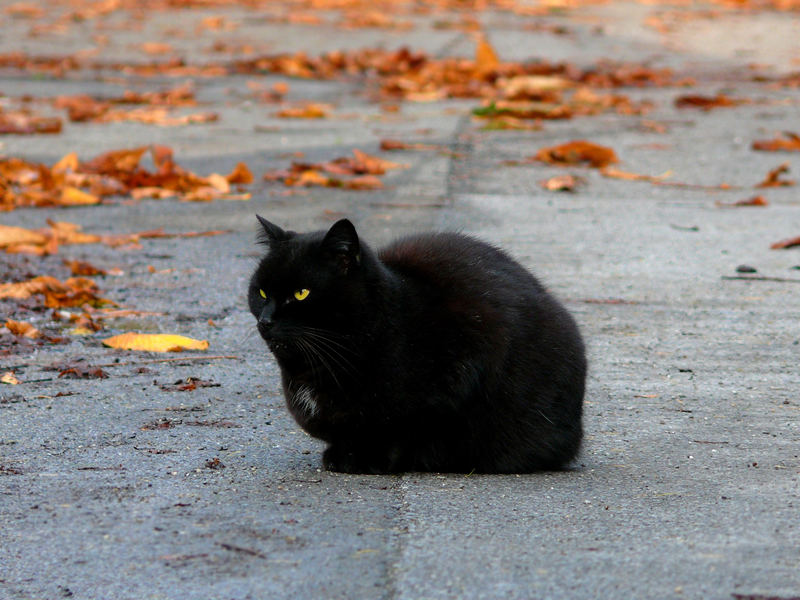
point(439, 353)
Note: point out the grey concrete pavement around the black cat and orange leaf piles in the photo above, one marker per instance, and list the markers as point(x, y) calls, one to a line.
point(689, 483)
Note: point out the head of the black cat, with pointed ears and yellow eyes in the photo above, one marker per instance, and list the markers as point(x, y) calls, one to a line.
point(309, 287)
